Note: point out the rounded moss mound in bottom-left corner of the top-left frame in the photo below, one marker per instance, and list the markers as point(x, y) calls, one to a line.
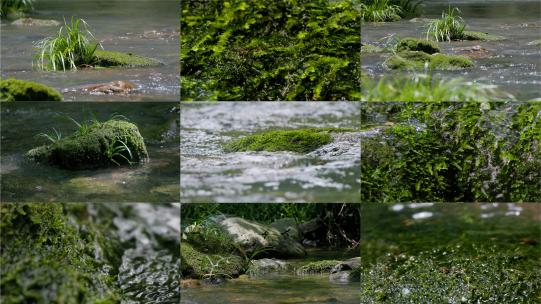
point(22, 90)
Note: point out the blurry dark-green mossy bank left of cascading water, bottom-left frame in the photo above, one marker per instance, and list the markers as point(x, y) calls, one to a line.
point(47, 258)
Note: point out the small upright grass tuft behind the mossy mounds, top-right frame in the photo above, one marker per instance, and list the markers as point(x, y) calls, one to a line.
point(450, 27)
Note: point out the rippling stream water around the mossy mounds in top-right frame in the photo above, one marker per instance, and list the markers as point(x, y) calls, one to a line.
point(513, 65)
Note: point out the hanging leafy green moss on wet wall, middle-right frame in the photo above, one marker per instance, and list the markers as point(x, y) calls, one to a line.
point(455, 152)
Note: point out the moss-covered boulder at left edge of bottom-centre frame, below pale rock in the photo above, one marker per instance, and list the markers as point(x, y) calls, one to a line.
point(195, 264)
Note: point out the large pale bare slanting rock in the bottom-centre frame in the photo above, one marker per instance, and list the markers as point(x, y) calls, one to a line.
point(252, 236)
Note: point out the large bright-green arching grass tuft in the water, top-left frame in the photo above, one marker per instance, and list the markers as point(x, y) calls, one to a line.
point(73, 46)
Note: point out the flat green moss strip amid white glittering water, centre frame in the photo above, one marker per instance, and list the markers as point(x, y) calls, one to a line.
point(300, 141)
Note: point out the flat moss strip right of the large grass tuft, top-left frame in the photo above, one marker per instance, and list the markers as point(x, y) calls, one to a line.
point(120, 59)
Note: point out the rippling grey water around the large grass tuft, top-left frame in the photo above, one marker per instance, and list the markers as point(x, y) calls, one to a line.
point(144, 27)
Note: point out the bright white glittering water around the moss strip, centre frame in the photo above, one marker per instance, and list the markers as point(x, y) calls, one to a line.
point(330, 173)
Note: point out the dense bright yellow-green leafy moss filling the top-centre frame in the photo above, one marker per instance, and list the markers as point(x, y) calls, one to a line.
point(270, 50)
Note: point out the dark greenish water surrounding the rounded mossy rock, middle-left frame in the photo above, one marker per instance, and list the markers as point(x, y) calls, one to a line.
point(154, 181)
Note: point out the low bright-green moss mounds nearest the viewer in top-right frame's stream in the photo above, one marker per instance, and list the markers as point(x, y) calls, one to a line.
point(418, 60)
